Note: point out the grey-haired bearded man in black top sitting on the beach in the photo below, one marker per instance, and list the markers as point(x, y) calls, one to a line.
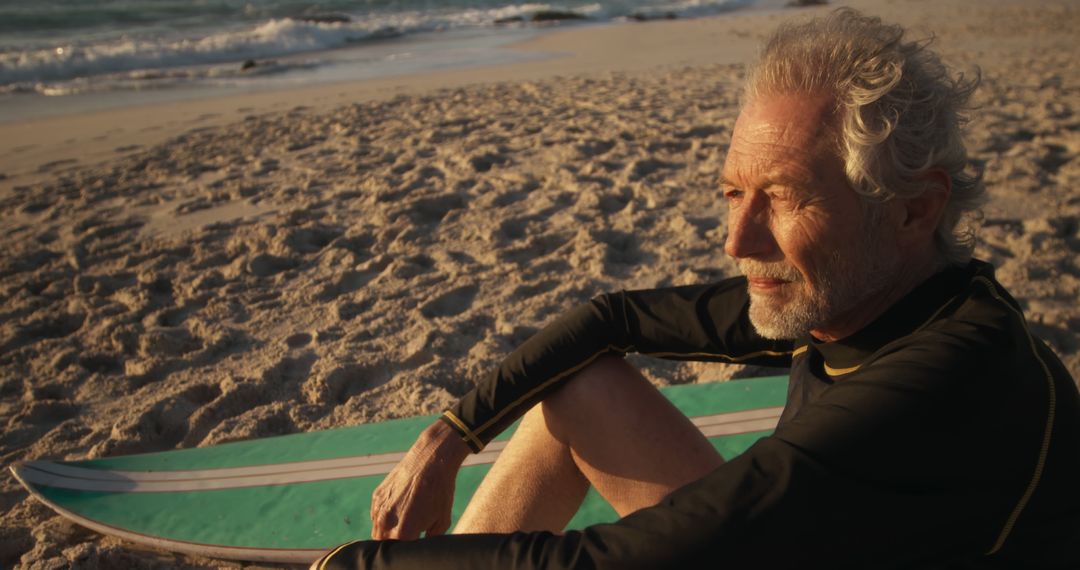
point(925, 427)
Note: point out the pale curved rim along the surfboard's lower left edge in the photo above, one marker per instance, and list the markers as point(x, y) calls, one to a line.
point(213, 551)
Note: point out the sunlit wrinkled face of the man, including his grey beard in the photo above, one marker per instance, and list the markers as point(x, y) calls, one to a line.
point(802, 236)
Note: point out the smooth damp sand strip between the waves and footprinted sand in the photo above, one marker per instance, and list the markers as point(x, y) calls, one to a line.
point(34, 150)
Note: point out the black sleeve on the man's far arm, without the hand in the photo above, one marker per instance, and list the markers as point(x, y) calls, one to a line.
point(699, 323)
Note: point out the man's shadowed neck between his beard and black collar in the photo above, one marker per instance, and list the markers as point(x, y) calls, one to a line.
point(904, 278)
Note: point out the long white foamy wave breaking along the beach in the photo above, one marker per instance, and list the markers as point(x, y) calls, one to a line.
point(38, 70)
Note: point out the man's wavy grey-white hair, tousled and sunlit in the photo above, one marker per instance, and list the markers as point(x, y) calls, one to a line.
point(899, 112)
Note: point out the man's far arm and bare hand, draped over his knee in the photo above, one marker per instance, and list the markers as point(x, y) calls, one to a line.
point(696, 323)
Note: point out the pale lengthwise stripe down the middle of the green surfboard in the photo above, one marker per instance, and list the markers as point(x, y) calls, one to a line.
point(93, 480)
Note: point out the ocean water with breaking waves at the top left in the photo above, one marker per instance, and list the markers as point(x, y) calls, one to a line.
point(65, 48)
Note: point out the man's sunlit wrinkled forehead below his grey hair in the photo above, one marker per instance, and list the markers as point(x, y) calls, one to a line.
point(785, 137)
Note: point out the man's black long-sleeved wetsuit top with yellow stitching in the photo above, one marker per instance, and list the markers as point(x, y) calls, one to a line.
point(942, 436)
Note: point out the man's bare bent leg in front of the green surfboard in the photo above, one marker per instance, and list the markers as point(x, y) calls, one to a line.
point(607, 427)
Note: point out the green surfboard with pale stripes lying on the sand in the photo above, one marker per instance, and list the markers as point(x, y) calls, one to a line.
point(291, 498)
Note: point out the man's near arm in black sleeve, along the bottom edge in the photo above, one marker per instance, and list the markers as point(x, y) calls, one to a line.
point(889, 469)
